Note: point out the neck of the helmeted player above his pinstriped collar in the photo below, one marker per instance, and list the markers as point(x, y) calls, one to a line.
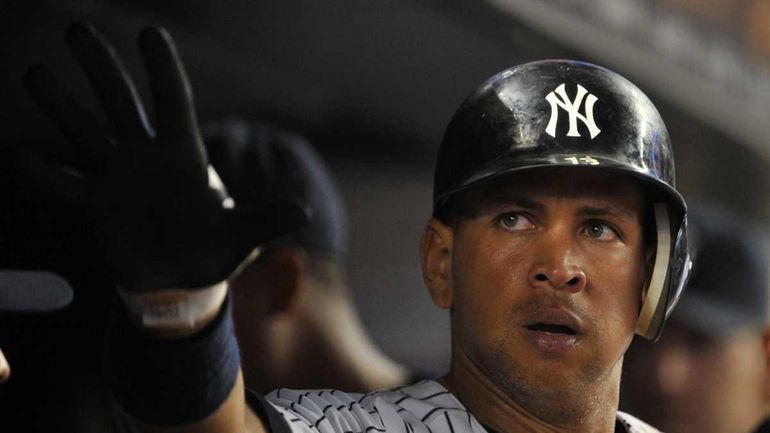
point(503, 413)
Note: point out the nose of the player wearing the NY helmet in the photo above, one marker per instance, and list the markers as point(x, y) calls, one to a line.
point(556, 265)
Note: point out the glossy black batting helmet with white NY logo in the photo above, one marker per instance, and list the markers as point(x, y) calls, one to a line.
point(563, 113)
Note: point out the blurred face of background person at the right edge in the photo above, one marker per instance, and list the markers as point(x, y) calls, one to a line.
point(690, 381)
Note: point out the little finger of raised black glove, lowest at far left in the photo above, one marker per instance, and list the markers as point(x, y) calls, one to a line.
point(60, 182)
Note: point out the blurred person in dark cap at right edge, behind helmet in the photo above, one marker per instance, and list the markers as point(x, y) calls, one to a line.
point(710, 370)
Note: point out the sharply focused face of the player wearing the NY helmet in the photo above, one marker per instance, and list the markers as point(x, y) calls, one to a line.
point(547, 278)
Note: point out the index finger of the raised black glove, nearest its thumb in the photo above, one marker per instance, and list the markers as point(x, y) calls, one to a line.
point(175, 110)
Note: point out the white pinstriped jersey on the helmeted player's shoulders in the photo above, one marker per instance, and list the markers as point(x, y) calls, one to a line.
point(425, 407)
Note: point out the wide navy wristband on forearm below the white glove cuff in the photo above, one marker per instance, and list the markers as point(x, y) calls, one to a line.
point(172, 382)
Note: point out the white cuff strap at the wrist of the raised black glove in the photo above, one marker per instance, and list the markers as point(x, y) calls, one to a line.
point(175, 308)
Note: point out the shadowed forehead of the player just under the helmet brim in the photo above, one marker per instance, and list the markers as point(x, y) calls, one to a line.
point(600, 187)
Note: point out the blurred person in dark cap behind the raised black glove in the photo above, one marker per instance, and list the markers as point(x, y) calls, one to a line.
point(293, 303)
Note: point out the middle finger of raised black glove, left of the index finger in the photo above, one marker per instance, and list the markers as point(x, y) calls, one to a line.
point(110, 80)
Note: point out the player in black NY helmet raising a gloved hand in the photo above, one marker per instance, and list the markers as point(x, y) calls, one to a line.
point(556, 235)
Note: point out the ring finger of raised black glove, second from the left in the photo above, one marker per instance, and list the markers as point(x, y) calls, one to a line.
point(89, 145)
